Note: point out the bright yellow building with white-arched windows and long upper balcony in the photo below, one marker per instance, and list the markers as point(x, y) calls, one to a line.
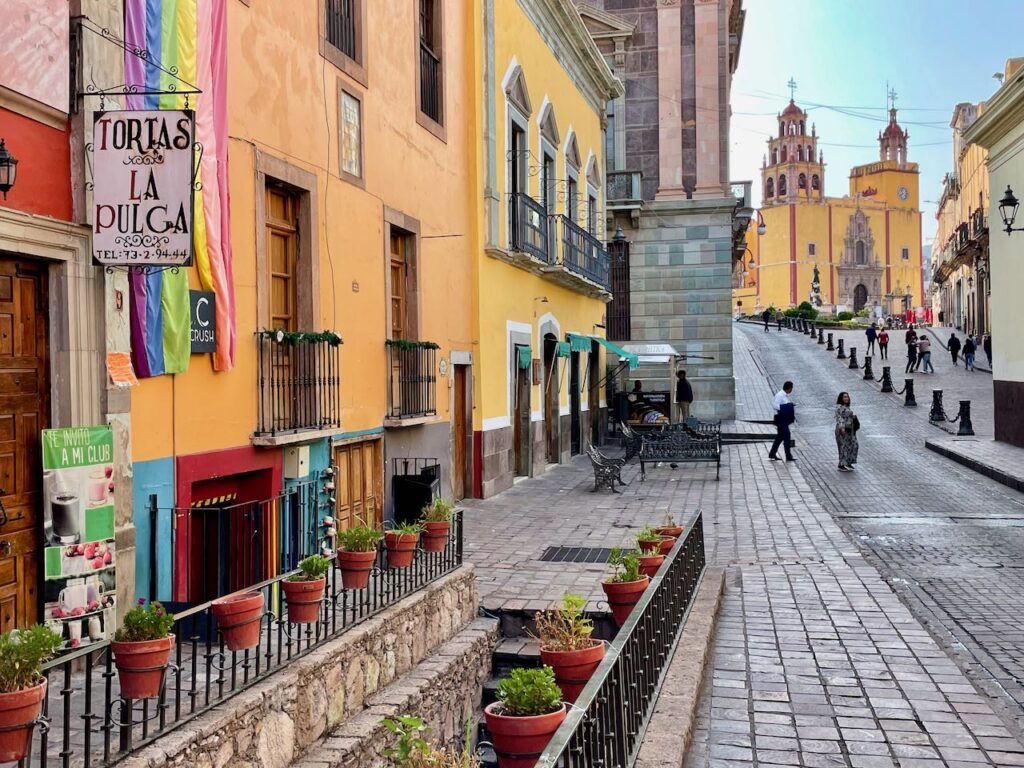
point(541, 276)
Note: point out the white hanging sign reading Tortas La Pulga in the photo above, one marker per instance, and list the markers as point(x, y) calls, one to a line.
point(143, 188)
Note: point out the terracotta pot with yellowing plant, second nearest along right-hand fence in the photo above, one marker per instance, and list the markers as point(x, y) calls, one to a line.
point(567, 646)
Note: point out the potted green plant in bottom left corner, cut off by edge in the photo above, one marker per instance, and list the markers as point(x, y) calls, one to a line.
point(23, 687)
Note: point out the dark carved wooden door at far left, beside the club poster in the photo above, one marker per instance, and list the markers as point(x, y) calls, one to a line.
point(24, 412)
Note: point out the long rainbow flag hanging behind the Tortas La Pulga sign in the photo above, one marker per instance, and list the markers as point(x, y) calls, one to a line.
point(192, 36)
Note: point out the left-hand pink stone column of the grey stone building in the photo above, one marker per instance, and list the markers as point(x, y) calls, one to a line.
point(670, 101)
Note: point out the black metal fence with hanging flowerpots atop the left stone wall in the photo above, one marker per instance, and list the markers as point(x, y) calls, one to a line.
point(86, 722)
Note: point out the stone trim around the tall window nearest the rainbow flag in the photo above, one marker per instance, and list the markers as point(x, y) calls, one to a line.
point(273, 170)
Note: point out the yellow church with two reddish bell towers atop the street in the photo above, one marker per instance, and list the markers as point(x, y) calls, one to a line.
point(865, 248)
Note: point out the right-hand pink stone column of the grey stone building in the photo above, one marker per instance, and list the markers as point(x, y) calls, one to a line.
point(706, 20)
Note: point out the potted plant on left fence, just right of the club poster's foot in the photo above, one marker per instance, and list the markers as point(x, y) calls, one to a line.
point(143, 649)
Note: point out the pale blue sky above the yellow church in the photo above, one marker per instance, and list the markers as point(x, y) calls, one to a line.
point(934, 54)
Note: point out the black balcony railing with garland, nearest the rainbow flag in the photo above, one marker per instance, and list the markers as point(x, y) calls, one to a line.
point(300, 382)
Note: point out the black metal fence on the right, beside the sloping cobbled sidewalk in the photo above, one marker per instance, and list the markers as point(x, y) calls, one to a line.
point(607, 726)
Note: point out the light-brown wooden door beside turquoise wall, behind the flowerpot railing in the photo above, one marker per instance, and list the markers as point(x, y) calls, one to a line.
point(360, 484)
